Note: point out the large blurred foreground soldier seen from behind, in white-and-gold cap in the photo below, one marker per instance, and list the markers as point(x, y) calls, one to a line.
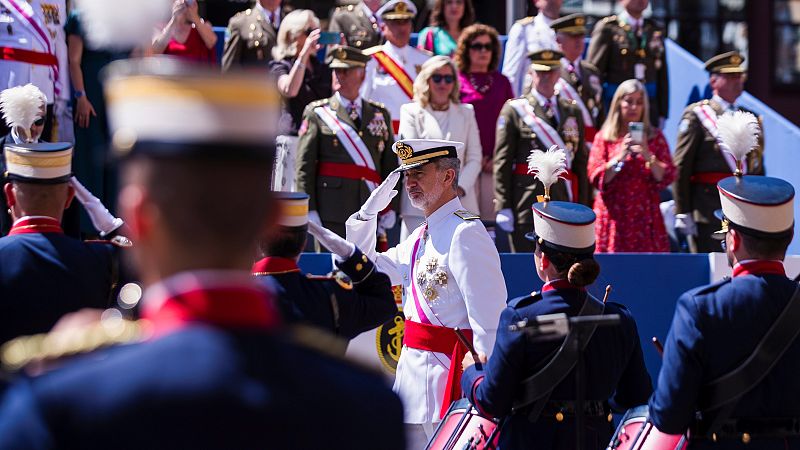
point(216, 373)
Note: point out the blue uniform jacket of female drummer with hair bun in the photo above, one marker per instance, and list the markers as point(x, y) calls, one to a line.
point(614, 370)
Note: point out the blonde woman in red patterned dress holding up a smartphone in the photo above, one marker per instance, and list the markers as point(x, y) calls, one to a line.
point(629, 165)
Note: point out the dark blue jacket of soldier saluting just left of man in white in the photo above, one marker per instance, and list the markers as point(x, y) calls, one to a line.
point(331, 304)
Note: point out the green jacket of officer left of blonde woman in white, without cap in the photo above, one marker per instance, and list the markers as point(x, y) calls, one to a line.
point(335, 198)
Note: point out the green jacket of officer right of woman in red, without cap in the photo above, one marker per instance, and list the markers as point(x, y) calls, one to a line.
point(697, 151)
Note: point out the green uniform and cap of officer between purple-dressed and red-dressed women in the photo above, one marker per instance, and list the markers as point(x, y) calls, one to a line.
point(517, 190)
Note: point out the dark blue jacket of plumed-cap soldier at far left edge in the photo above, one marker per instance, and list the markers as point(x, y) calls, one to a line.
point(46, 275)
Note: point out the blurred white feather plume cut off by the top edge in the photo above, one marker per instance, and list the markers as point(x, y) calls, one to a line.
point(122, 24)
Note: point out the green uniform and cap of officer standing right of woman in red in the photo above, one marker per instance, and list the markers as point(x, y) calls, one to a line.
point(700, 163)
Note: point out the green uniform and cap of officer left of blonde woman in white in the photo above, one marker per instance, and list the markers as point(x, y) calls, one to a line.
point(325, 169)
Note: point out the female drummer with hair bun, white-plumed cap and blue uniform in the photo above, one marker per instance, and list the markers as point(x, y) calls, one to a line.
point(614, 366)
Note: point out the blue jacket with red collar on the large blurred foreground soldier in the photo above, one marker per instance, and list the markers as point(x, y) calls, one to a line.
point(203, 386)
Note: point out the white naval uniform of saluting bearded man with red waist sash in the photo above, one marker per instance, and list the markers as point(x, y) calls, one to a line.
point(474, 297)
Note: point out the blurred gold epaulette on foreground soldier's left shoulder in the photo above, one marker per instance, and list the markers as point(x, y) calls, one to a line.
point(19, 352)
